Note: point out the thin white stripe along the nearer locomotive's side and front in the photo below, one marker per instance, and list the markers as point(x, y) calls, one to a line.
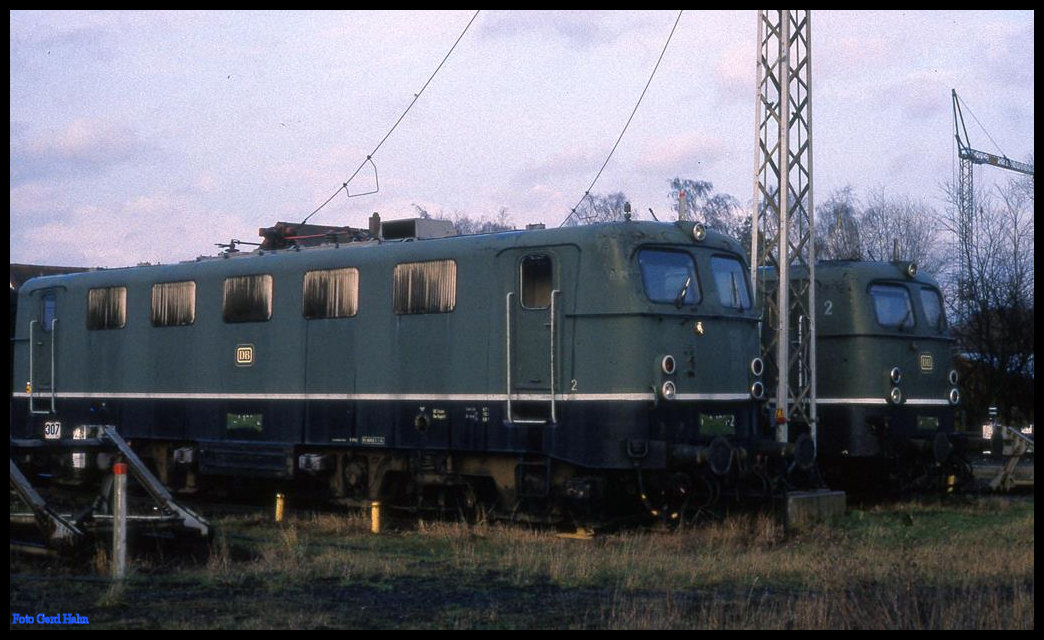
point(623, 397)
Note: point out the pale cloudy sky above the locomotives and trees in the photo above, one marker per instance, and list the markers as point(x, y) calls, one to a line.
point(153, 136)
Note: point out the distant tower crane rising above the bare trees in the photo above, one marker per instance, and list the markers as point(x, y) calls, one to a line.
point(966, 200)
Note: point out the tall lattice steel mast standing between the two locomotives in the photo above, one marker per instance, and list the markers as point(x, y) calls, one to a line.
point(782, 234)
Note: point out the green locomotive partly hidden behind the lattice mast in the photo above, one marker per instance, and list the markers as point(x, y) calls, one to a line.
point(887, 387)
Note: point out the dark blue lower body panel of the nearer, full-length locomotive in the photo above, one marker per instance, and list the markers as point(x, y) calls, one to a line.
point(595, 435)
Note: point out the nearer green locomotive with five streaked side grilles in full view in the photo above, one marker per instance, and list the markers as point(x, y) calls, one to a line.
point(595, 369)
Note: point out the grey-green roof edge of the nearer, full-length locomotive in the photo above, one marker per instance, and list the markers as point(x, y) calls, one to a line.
point(631, 233)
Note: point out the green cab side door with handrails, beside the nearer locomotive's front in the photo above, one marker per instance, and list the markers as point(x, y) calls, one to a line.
point(534, 320)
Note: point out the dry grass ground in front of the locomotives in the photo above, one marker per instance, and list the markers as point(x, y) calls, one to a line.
point(910, 566)
